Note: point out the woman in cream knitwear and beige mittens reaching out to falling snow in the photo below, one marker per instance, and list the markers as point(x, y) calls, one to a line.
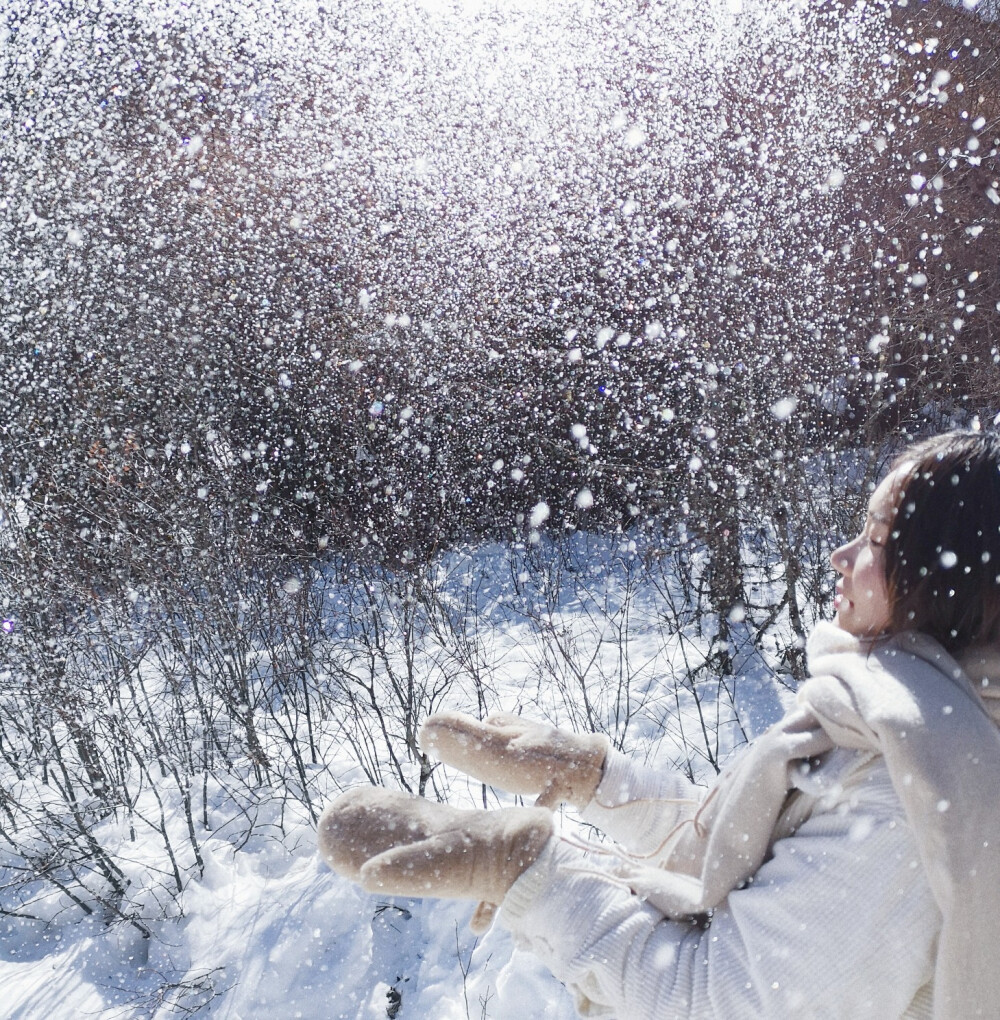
point(847, 866)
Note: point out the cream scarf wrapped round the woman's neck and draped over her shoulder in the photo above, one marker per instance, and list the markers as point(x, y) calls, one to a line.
point(936, 725)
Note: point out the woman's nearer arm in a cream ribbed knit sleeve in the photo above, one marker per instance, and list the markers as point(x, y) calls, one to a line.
point(840, 923)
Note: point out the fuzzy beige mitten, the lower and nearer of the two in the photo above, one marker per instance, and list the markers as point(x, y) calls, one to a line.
point(408, 846)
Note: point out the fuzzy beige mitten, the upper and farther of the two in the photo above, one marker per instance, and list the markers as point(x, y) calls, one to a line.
point(520, 756)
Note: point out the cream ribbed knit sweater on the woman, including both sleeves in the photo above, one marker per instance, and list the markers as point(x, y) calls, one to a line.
point(839, 921)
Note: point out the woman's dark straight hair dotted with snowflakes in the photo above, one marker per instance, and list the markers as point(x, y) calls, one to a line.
point(943, 553)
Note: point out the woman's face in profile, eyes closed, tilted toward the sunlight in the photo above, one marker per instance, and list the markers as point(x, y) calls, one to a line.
point(863, 596)
